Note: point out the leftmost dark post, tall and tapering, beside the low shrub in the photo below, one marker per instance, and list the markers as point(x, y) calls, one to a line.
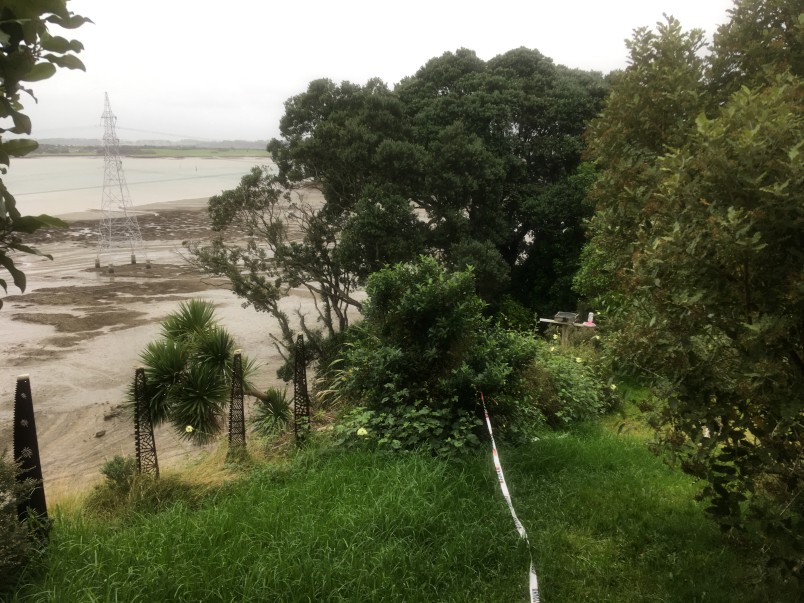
point(26, 453)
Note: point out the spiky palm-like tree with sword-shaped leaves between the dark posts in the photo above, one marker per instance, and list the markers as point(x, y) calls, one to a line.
point(189, 372)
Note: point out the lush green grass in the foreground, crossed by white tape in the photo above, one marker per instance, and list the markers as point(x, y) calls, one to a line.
point(607, 522)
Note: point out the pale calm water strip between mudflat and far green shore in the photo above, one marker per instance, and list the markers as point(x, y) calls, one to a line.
point(61, 185)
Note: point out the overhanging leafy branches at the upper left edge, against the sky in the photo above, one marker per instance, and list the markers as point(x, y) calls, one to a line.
point(29, 52)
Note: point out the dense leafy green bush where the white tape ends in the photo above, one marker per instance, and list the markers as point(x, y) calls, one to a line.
point(414, 368)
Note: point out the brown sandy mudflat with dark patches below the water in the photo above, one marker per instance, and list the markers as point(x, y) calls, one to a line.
point(78, 332)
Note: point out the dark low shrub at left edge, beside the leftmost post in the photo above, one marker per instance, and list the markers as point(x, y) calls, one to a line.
point(16, 539)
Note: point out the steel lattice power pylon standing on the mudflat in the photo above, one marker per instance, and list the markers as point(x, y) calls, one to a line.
point(118, 227)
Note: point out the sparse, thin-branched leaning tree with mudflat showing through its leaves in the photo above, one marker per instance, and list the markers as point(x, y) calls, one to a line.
point(271, 241)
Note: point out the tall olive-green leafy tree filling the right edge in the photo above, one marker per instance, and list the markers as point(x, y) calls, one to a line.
point(696, 251)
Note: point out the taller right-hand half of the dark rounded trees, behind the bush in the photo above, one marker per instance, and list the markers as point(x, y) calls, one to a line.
point(498, 144)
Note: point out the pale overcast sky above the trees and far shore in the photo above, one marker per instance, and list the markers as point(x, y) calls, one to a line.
point(222, 70)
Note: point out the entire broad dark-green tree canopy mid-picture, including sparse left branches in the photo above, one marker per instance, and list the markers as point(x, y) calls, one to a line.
point(475, 162)
